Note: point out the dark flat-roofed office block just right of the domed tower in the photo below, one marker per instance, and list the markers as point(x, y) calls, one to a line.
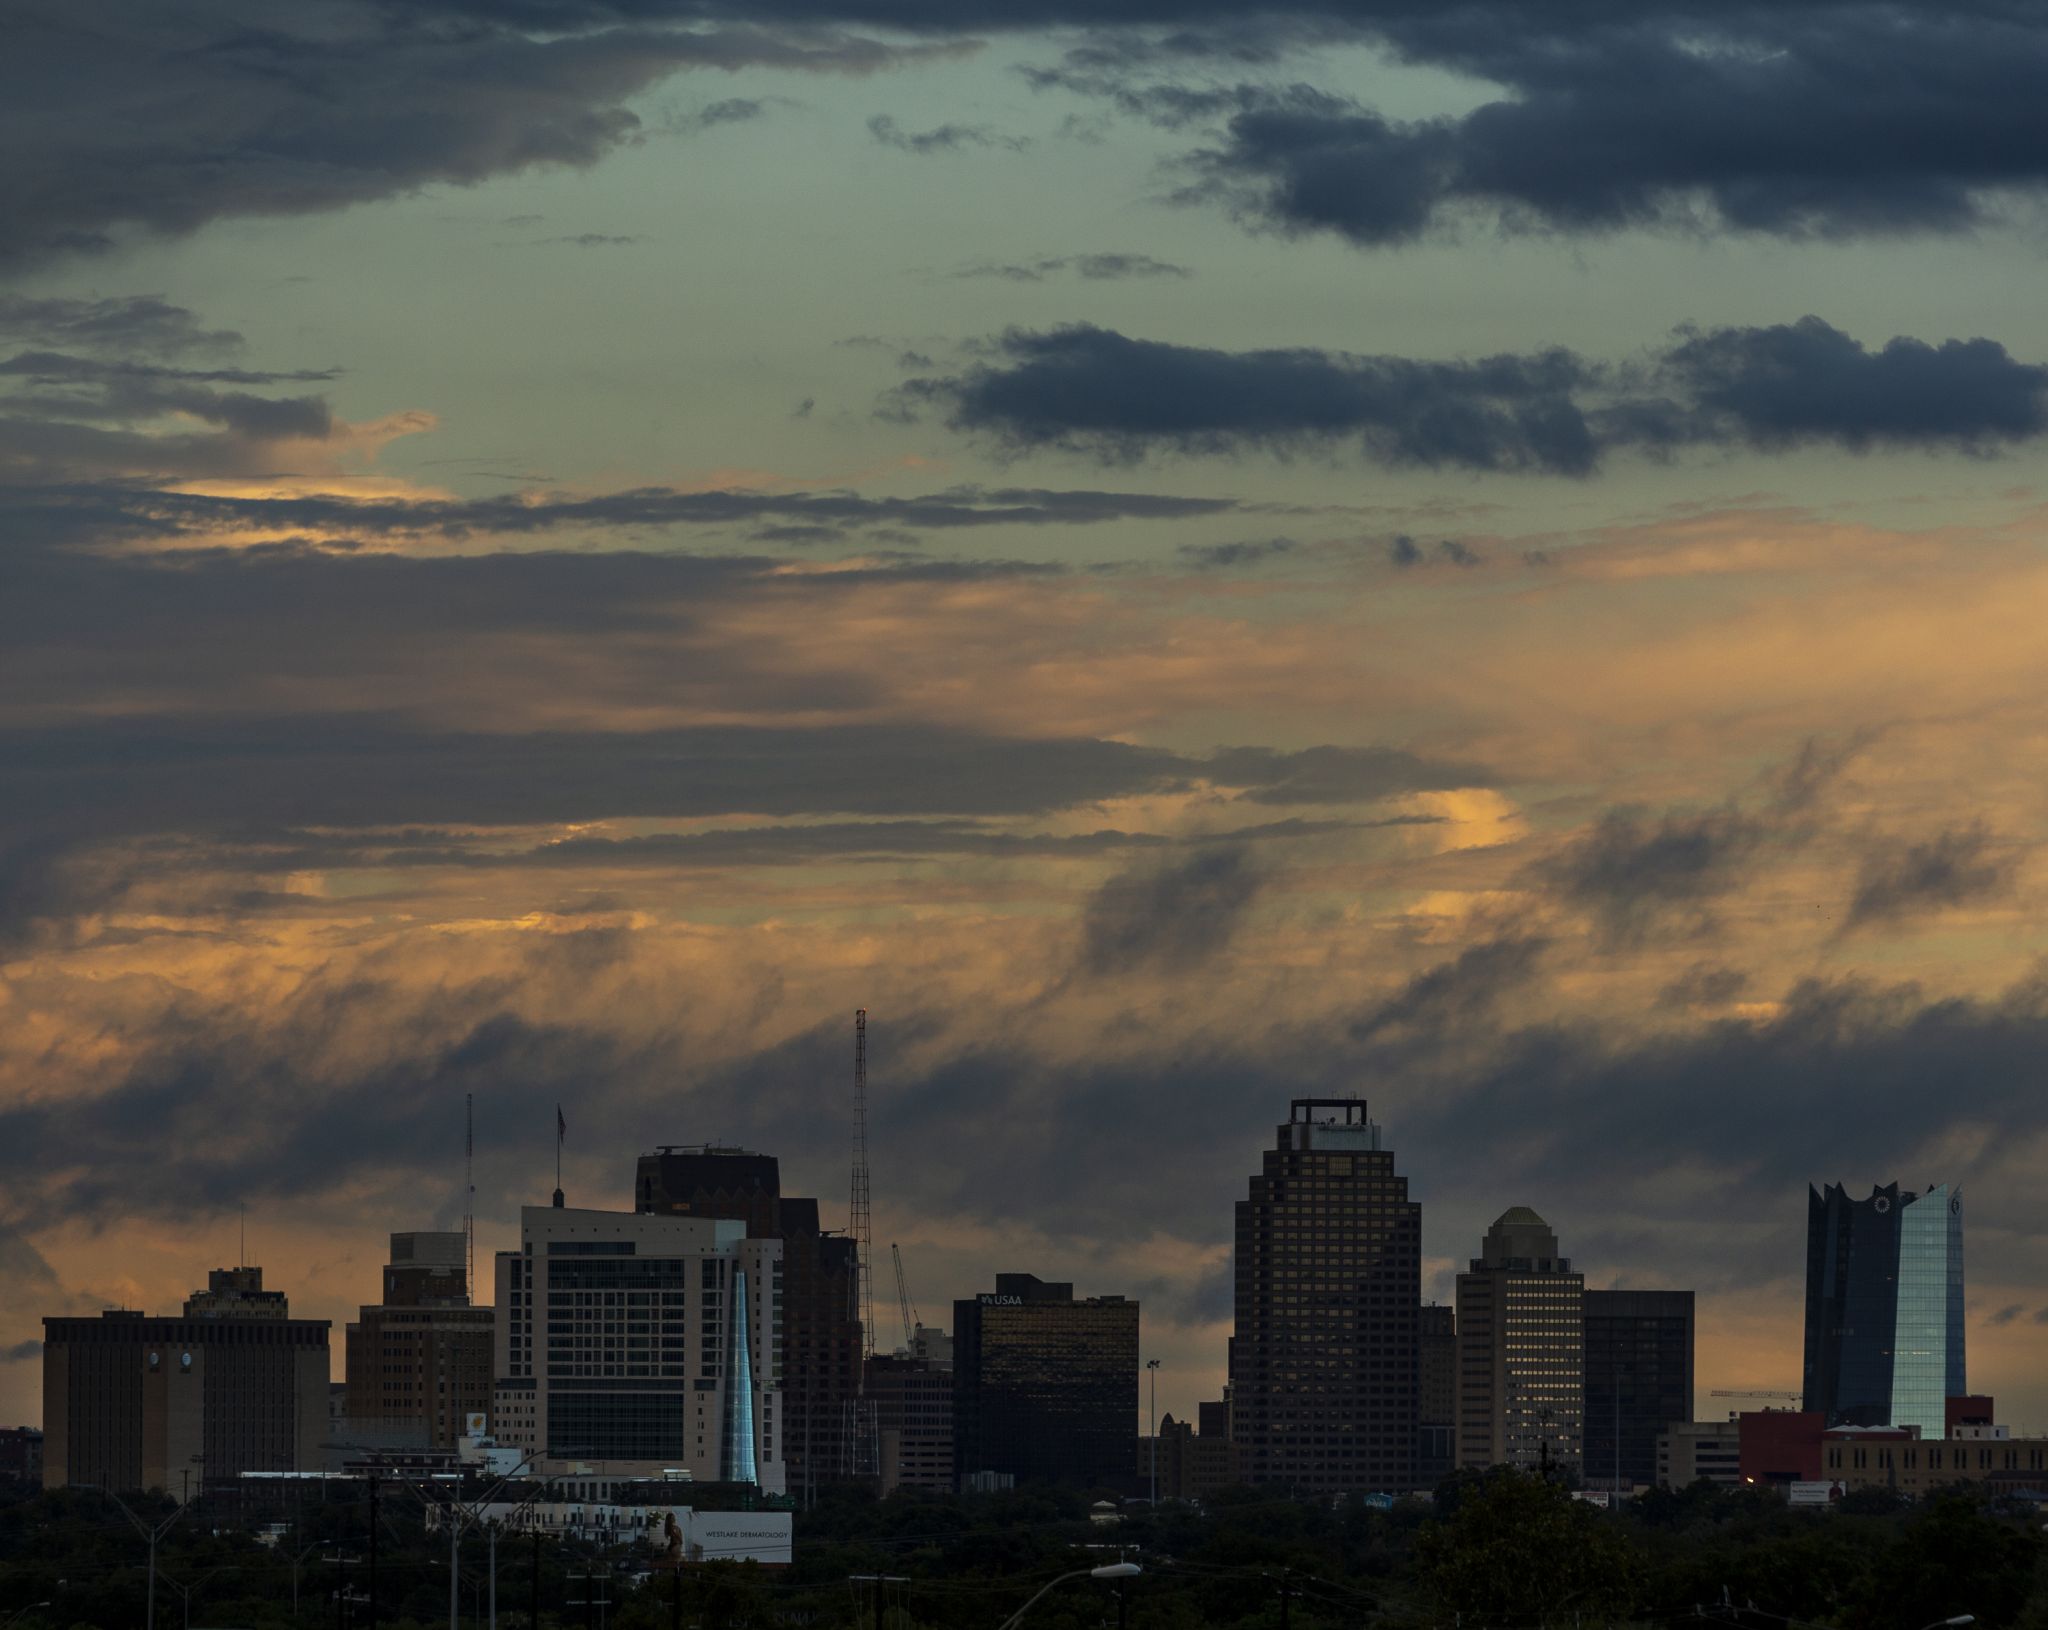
point(1637, 1381)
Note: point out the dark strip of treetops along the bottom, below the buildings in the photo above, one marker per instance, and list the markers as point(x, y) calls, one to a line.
point(1492, 1551)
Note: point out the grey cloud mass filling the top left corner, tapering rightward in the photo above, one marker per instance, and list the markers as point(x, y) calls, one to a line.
point(163, 124)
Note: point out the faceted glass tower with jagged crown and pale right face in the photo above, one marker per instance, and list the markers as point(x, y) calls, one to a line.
point(1885, 1307)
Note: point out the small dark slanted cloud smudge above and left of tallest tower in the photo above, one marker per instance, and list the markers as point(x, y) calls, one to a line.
point(1172, 916)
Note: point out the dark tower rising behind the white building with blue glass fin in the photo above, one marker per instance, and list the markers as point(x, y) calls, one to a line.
point(820, 1324)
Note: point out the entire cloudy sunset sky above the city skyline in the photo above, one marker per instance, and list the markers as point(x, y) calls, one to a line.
point(1480, 554)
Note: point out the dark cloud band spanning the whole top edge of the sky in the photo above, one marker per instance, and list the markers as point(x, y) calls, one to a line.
point(1822, 118)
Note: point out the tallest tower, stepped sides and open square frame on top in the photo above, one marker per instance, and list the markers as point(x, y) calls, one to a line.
point(1324, 1367)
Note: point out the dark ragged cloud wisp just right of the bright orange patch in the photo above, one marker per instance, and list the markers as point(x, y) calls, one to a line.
point(1644, 877)
